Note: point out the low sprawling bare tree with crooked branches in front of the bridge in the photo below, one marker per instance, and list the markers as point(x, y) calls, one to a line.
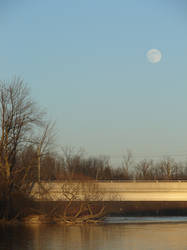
point(74, 201)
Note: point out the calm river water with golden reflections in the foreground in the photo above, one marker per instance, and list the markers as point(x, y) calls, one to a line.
point(116, 233)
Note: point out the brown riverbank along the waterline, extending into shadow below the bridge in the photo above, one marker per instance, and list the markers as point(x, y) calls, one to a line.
point(52, 212)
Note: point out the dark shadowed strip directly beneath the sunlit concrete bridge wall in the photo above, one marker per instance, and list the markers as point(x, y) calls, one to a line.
point(125, 208)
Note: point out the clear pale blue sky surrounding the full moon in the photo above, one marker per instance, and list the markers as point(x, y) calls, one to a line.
point(85, 63)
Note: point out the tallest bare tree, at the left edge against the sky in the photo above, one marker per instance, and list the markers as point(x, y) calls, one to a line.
point(19, 117)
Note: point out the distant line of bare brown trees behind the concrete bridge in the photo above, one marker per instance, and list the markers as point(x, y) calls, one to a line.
point(74, 165)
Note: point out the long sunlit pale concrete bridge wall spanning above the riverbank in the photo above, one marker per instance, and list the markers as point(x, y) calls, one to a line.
point(112, 190)
